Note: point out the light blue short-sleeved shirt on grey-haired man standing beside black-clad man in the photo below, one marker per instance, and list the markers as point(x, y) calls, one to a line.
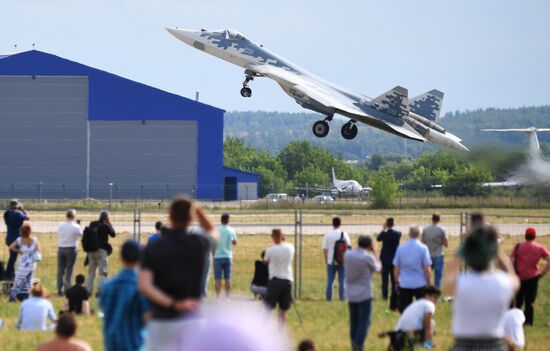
point(412, 257)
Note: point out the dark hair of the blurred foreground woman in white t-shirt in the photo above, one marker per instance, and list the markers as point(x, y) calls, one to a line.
point(480, 248)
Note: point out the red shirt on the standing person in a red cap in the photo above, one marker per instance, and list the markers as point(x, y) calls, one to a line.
point(529, 253)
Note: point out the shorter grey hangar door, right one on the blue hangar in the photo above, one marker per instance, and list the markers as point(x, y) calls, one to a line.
point(143, 159)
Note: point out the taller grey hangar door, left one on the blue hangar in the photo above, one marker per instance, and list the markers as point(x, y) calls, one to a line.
point(43, 136)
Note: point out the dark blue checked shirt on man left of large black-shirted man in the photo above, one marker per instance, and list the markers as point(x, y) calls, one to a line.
point(123, 307)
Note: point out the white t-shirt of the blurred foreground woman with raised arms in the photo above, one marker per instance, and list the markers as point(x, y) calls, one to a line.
point(480, 303)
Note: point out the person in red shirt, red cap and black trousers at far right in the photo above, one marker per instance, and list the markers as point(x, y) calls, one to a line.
point(526, 257)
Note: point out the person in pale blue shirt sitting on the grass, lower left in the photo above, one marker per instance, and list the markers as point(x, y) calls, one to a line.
point(36, 311)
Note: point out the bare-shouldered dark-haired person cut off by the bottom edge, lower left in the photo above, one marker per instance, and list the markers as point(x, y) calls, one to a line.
point(64, 333)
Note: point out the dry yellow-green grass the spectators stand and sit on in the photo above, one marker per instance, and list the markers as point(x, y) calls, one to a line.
point(312, 317)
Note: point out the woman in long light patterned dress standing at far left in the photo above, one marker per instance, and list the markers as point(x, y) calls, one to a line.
point(27, 248)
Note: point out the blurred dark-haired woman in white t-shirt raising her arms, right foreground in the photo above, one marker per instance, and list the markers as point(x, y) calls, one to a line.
point(482, 294)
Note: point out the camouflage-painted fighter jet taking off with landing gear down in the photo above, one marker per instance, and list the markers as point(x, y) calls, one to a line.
point(390, 111)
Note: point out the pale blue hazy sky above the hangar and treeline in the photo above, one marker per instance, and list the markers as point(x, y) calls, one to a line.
point(491, 53)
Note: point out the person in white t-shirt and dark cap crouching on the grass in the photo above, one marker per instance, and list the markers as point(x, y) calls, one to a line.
point(417, 318)
